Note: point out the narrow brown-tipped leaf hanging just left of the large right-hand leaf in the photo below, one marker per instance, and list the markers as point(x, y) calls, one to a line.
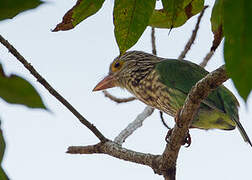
point(217, 23)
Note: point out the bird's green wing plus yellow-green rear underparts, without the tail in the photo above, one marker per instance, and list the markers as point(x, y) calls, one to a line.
point(218, 110)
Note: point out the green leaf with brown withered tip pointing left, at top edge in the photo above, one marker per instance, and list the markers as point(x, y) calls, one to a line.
point(79, 12)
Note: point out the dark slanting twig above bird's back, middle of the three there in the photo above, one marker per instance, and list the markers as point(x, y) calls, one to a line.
point(193, 36)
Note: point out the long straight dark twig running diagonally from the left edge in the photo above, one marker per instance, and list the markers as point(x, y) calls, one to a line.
point(60, 98)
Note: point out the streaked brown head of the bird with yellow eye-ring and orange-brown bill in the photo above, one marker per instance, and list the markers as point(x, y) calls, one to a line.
point(126, 69)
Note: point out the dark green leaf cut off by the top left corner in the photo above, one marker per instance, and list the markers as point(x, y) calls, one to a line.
point(10, 8)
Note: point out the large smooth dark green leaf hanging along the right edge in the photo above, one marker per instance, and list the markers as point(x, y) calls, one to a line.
point(237, 47)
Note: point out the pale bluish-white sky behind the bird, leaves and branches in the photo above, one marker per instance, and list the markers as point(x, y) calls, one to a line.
point(74, 62)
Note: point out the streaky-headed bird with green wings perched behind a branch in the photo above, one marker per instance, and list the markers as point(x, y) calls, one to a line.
point(164, 85)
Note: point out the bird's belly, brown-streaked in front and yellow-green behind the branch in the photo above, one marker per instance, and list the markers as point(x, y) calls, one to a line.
point(170, 103)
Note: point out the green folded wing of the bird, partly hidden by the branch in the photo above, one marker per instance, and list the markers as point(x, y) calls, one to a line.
point(182, 75)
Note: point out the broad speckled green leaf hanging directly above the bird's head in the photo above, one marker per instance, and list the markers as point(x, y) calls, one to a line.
point(131, 18)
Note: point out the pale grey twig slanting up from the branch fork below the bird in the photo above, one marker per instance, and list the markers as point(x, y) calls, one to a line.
point(138, 122)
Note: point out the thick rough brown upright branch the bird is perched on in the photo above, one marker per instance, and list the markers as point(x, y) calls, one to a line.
point(198, 92)
